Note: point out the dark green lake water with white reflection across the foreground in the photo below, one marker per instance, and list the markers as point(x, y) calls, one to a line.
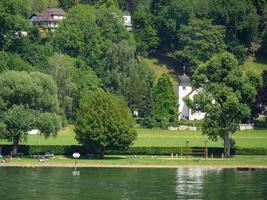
point(138, 184)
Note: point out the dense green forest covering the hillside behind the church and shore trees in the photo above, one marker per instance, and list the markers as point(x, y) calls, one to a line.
point(92, 50)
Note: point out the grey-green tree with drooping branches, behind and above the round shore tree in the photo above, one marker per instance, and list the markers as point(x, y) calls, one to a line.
point(121, 74)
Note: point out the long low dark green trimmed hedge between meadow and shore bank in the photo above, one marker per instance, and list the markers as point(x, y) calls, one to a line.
point(68, 150)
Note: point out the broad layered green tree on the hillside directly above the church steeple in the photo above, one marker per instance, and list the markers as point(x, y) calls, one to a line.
point(199, 41)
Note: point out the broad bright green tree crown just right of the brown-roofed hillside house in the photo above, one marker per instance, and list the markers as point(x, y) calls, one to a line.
point(87, 32)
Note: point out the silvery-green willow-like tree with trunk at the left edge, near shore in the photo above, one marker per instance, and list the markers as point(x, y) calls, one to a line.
point(27, 101)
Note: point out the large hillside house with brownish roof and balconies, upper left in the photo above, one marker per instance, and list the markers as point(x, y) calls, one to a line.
point(49, 18)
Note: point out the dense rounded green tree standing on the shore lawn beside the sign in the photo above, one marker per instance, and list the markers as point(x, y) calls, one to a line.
point(104, 122)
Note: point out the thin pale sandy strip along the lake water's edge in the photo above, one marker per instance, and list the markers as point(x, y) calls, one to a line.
point(66, 165)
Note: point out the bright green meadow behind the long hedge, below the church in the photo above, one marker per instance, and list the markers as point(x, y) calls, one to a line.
point(158, 137)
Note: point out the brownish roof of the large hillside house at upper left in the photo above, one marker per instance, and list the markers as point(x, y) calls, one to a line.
point(47, 16)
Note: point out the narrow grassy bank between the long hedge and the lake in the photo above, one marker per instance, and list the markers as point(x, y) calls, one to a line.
point(145, 161)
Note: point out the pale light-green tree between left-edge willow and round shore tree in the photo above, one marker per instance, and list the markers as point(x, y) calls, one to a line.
point(73, 79)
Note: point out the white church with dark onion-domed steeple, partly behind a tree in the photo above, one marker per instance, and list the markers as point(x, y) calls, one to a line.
point(184, 89)
